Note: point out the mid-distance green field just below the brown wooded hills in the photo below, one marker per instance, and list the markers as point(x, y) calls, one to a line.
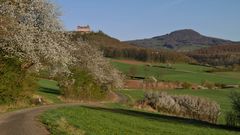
point(180, 72)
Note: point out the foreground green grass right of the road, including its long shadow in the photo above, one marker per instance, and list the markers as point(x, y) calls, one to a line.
point(107, 121)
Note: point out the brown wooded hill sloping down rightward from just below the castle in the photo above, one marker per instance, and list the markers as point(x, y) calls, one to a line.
point(114, 48)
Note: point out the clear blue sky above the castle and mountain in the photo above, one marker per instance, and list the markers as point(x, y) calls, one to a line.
point(137, 19)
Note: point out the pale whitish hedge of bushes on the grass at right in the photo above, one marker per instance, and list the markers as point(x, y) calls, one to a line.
point(184, 106)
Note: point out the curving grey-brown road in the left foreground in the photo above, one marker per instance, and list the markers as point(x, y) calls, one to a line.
point(24, 122)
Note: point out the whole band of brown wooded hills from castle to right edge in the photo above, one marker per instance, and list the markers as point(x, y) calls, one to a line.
point(113, 48)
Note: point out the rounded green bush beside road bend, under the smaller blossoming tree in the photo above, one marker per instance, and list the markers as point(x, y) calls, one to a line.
point(81, 86)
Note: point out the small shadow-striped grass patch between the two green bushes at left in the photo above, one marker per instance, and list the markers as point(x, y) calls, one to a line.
point(49, 89)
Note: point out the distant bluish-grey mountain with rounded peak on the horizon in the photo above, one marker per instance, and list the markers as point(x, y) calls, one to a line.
point(181, 40)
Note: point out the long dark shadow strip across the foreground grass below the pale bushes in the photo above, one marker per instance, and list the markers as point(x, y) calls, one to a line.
point(165, 118)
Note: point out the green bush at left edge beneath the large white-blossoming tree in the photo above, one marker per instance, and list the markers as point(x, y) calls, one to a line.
point(15, 83)
